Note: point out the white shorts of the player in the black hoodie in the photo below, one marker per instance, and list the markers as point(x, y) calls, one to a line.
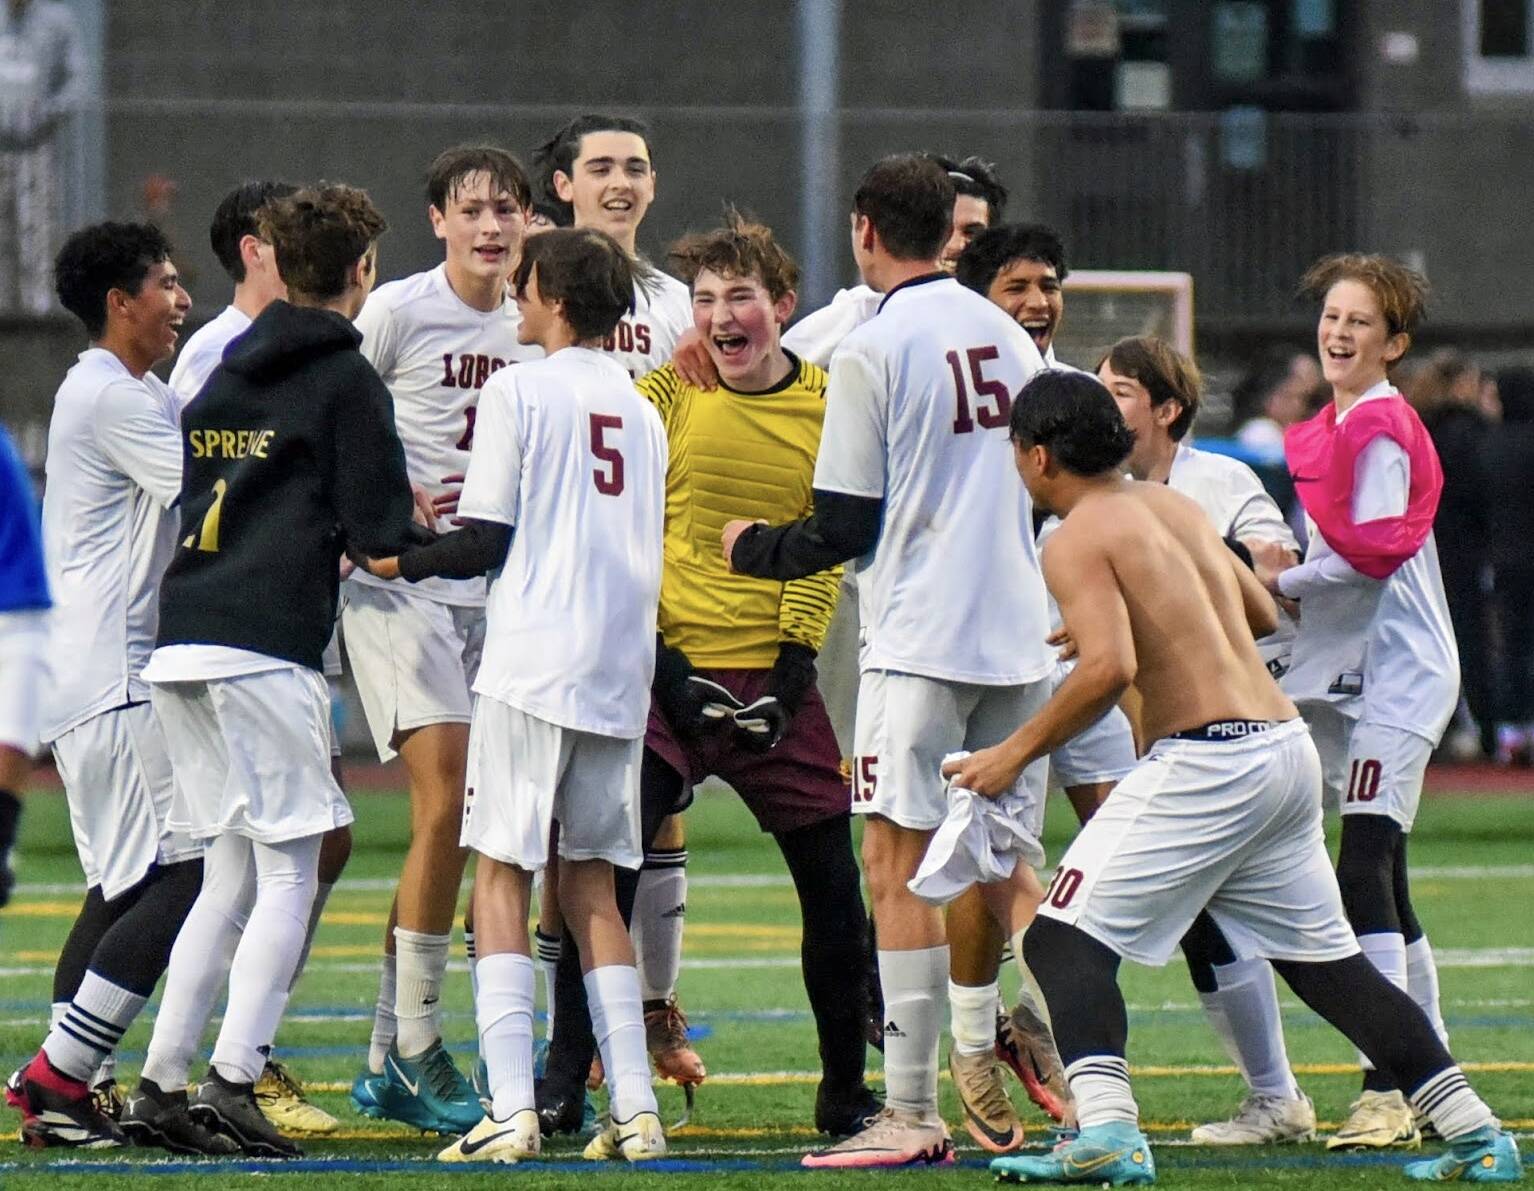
point(252, 756)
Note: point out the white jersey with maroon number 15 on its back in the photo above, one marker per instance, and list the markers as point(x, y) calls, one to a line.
point(917, 415)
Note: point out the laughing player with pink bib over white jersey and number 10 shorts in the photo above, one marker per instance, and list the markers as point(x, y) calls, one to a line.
point(1375, 665)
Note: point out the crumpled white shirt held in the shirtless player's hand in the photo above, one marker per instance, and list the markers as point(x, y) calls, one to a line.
point(979, 842)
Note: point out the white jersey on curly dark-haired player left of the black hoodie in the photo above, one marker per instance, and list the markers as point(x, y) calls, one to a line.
point(110, 529)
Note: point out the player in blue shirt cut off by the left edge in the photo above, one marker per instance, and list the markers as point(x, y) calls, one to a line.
point(24, 642)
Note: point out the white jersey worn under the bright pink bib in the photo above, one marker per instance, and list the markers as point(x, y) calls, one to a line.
point(1383, 650)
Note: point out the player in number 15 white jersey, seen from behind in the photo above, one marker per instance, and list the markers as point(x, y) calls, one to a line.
point(915, 481)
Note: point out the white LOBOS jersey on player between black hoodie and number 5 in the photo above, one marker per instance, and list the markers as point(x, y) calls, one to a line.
point(435, 352)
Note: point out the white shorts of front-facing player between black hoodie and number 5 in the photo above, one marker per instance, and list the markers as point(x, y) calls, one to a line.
point(412, 658)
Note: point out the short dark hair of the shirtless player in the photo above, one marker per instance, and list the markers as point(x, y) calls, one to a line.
point(1076, 418)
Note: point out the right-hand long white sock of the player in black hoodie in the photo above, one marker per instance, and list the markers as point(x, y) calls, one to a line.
point(268, 957)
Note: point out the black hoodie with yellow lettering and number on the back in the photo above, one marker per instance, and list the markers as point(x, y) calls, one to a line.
point(289, 454)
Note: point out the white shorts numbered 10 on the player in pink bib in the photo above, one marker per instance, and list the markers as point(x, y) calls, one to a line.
point(1369, 768)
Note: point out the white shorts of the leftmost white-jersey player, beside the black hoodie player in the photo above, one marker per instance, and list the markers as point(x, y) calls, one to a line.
point(119, 785)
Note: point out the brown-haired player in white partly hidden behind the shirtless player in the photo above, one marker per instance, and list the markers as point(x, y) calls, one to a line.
point(1157, 392)
